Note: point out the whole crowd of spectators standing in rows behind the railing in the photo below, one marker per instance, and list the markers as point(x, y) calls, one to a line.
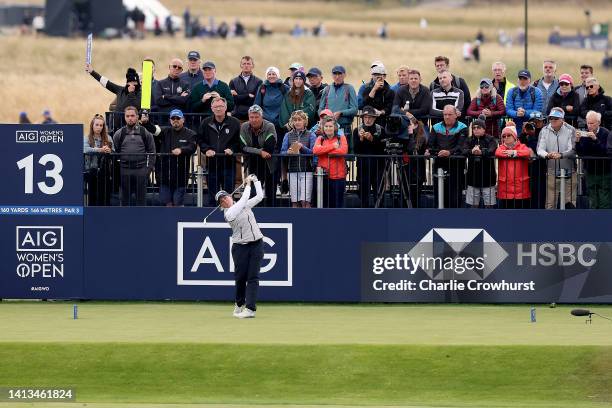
point(512, 146)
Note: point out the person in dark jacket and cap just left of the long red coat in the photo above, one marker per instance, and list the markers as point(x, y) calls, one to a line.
point(481, 175)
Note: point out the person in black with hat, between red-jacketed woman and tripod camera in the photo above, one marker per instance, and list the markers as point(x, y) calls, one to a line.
point(368, 142)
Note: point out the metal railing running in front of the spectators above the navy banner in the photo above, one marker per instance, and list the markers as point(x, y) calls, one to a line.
point(370, 181)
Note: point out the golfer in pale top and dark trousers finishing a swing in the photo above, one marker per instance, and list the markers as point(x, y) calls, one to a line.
point(247, 244)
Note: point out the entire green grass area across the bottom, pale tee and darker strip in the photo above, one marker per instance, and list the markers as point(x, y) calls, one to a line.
point(196, 354)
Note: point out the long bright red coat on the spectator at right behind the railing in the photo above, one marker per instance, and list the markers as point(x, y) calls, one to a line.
point(513, 179)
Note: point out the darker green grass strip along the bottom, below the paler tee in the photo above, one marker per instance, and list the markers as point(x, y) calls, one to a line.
point(314, 374)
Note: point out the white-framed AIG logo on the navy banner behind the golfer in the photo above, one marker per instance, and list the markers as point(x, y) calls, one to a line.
point(204, 254)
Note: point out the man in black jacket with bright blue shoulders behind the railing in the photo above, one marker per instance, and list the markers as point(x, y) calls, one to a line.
point(448, 139)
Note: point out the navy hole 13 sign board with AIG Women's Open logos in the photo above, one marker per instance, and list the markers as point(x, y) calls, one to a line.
point(41, 213)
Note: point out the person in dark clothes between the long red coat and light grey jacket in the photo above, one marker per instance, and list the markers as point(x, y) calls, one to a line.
point(537, 167)
